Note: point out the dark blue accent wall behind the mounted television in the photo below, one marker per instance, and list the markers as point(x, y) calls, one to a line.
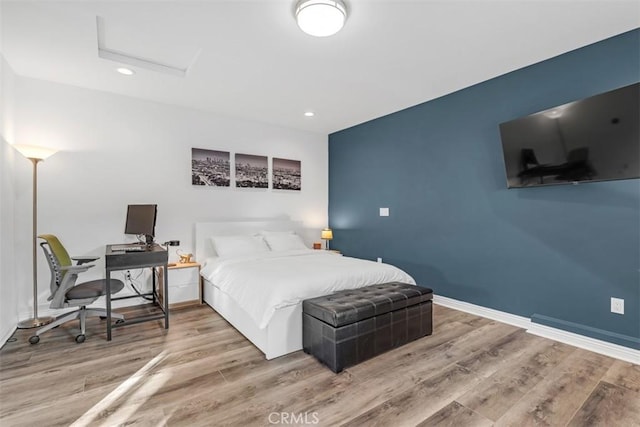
point(556, 254)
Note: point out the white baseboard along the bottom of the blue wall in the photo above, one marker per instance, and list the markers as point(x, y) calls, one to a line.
point(597, 346)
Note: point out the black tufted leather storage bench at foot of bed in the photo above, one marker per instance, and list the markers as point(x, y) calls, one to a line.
point(348, 327)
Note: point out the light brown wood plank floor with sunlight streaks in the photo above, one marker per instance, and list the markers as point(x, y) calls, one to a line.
point(201, 372)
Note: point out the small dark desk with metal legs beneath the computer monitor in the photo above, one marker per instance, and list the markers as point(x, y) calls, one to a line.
point(154, 256)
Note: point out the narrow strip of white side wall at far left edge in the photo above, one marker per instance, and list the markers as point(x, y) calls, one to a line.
point(9, 298)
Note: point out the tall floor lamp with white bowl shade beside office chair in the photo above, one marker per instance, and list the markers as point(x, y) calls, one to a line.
point(35, 154)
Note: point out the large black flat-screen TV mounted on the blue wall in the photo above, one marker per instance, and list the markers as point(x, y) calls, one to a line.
point(593, 139)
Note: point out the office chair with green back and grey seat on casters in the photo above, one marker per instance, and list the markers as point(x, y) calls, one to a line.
point(66, 293)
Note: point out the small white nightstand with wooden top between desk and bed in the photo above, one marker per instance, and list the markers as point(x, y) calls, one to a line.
point(184, 284)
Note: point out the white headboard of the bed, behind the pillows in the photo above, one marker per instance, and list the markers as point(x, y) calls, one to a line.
point(206, 230)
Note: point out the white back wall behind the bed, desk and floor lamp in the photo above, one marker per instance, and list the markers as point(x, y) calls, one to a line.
point(117, 150)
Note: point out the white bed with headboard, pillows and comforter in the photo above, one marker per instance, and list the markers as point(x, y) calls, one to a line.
point(261, 293)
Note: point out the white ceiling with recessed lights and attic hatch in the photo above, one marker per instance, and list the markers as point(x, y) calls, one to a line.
point(248, 59)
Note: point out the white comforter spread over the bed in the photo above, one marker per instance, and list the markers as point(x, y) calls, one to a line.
point(264, 282)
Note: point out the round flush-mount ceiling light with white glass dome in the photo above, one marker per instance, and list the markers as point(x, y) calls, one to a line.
point(321, 18)
